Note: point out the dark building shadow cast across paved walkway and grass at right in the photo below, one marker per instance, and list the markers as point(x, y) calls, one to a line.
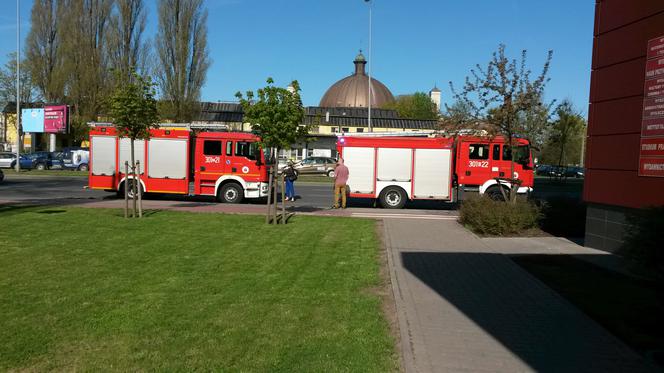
point(532, 322)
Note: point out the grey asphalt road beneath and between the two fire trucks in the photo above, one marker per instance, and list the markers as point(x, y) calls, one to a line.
point(62, 189)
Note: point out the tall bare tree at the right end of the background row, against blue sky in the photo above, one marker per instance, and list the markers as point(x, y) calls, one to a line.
point(183, 53)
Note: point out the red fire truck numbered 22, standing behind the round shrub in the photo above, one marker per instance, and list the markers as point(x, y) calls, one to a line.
point(396, 169)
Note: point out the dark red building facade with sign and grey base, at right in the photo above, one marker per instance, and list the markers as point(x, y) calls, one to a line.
point(625, 144)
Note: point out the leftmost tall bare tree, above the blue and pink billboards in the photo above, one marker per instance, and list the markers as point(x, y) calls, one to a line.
point(44, 49)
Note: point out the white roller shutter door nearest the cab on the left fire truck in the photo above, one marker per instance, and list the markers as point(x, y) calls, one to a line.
point(168, 158)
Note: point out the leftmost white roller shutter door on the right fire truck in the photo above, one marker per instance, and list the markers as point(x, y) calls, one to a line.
point(360, 163)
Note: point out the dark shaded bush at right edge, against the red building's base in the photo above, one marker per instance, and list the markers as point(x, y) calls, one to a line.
point(644, 244)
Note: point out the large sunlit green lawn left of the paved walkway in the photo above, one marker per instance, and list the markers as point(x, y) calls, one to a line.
point(85, 289)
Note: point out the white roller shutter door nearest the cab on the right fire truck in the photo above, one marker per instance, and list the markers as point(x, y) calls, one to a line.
point(432, 173)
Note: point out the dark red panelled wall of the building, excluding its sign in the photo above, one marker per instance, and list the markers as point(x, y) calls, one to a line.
point(622, 30)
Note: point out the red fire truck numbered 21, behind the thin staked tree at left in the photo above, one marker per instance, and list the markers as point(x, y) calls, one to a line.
point(227, 165)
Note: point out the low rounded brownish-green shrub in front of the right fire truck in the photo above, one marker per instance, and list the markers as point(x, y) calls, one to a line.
point(486, 216)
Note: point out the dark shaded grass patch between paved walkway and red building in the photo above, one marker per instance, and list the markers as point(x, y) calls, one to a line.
point(630, 308)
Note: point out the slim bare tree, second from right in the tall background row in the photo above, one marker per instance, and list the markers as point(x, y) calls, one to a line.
point(127, 51)
